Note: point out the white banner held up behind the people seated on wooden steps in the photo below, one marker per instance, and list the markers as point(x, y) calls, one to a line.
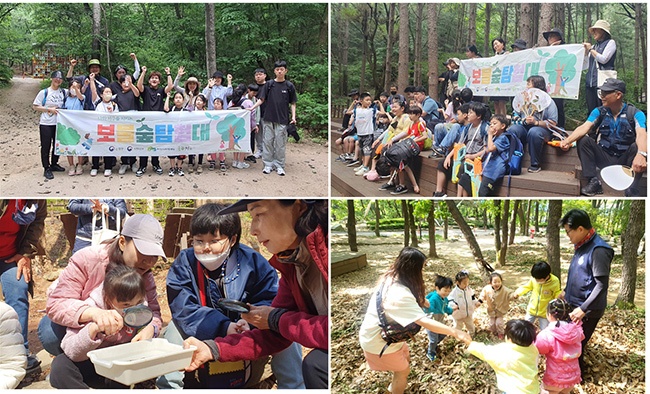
point(505, 75)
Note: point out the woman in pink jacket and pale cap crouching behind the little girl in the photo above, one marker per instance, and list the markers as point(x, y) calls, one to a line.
point(139, 246)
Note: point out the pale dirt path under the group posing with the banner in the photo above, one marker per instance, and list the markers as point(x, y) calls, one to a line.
point(21, 173)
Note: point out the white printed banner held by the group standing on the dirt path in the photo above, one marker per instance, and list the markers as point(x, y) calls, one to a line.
point(151, 133)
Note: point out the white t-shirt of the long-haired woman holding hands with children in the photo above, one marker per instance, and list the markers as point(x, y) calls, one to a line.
point(399, 305)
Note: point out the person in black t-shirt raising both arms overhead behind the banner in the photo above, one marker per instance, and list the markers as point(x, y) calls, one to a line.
point(153, 99)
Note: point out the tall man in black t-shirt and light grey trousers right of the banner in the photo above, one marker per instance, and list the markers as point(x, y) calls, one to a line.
point(281, 97)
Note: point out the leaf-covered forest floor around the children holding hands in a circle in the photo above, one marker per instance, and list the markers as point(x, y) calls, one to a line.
point(615, 354)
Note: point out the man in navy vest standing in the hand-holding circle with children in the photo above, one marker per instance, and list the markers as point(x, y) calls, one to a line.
point(588, 276)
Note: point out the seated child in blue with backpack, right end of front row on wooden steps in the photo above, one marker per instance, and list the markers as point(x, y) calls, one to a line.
point(498, 146)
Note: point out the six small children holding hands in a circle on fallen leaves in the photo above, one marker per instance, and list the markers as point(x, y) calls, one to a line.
point(515, 360)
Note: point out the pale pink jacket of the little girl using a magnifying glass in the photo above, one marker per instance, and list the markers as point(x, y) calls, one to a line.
point(77, 343)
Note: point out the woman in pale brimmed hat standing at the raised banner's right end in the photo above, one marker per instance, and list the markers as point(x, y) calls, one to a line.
point(600, 56)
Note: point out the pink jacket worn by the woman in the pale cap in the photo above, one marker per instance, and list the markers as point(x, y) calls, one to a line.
point(85, 272)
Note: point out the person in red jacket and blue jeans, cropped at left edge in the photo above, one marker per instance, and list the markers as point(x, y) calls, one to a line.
point(21, 226)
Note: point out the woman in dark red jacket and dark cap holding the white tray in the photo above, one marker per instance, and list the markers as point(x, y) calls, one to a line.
point(294, 231)
